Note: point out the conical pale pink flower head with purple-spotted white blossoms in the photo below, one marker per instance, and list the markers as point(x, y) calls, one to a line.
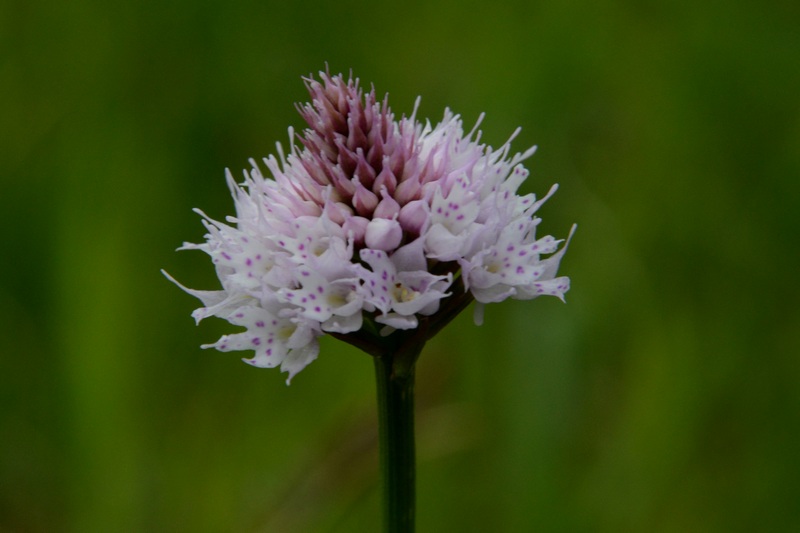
point(371, 220)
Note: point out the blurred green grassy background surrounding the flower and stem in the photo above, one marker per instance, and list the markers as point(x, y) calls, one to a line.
point(663, 397)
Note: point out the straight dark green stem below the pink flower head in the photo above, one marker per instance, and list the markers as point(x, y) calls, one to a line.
point(396, 442)
